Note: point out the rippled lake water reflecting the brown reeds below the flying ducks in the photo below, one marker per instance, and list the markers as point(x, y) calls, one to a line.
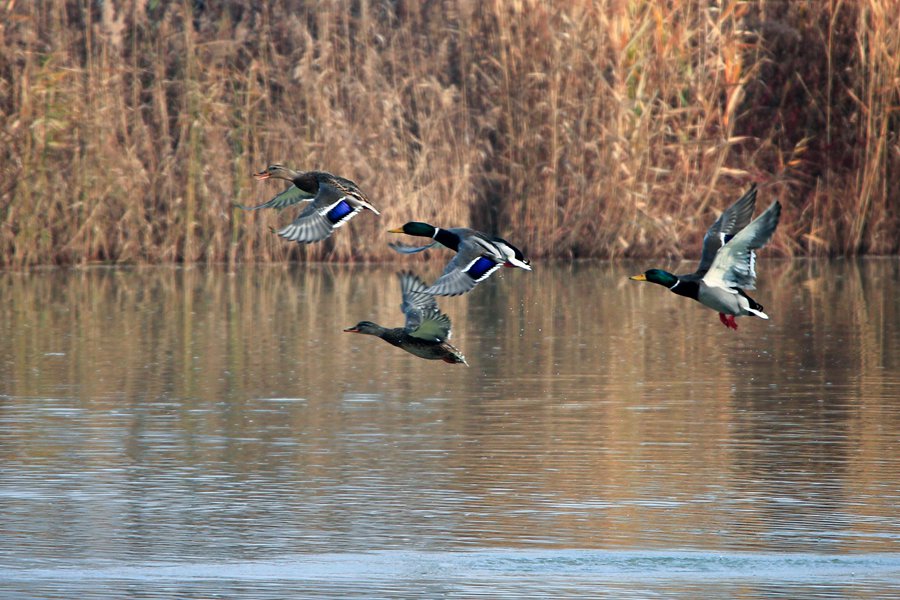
point(199, 433)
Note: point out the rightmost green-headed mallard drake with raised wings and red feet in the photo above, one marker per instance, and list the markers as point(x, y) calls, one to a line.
point(728, 262)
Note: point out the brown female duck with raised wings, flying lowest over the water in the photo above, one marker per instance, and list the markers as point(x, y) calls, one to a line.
point(427, 329)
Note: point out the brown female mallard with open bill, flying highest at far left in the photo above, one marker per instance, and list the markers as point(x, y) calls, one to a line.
point(335, 201)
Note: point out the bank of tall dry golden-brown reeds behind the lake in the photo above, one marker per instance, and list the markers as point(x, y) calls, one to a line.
point(576, 129)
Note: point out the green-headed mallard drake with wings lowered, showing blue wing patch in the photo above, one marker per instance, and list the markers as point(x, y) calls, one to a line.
point(478, 255)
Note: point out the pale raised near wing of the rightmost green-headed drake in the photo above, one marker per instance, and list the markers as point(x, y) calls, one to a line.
point(735, 264)
